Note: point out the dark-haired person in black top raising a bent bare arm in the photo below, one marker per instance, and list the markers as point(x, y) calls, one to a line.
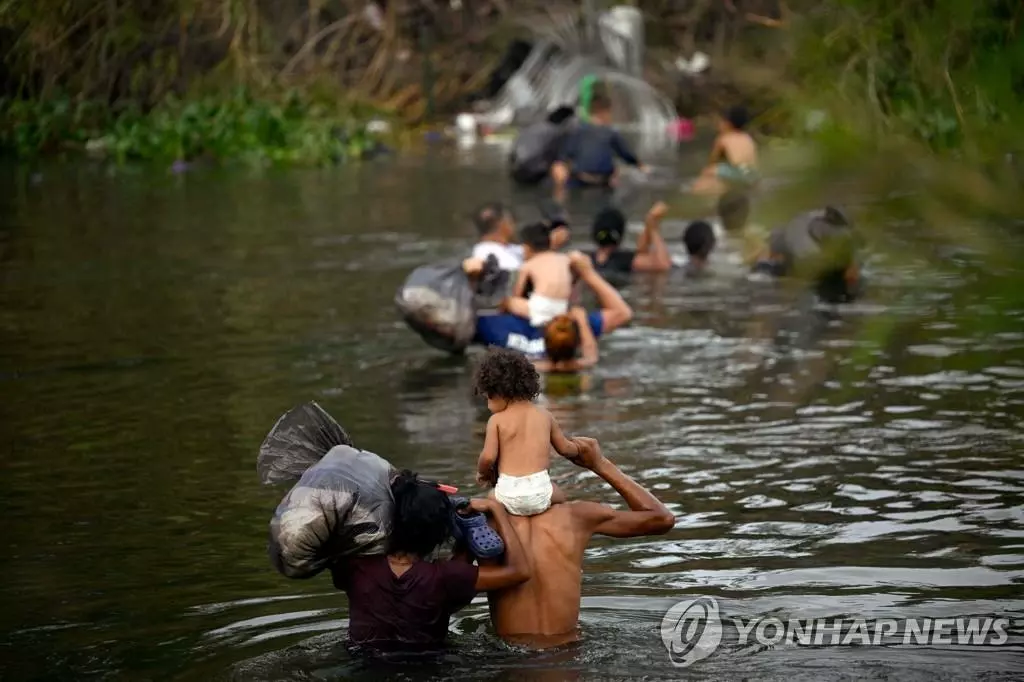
point(652, 254)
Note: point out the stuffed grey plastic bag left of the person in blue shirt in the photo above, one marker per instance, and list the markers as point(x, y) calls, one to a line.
point(438, 303)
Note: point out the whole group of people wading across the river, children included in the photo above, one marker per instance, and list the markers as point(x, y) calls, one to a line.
point(404, 600)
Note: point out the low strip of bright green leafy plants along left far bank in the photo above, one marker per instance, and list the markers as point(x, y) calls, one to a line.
point(295, 131)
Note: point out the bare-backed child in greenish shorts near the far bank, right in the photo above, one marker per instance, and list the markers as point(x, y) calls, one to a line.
point(734, 158)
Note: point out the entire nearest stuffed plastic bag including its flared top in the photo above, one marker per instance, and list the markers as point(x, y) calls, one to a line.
point(343, 503)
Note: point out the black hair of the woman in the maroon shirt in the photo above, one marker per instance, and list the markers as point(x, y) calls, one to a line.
point(422, 519)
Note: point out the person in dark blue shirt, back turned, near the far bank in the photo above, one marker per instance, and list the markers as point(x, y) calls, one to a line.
point(588, 157)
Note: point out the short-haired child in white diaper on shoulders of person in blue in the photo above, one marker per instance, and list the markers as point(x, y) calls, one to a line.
point(549, 276)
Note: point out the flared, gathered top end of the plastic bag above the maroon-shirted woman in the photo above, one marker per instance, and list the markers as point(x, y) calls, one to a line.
point(300, 440)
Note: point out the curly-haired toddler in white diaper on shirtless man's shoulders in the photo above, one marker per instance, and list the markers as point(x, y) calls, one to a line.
point(518, 446)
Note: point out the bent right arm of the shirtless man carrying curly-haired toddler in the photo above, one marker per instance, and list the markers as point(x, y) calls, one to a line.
point(648, 516)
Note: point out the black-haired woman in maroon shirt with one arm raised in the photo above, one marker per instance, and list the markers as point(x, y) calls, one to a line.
point(403, 601)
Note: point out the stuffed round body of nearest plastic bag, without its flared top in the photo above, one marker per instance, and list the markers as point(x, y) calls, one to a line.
point(342, 507)
